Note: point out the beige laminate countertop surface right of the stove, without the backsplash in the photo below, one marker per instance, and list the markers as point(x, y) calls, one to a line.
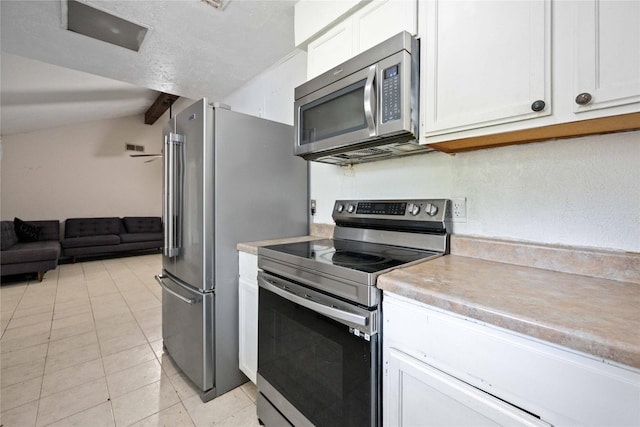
point(597, 316)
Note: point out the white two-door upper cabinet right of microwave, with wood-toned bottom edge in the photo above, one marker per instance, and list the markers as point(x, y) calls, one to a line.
point(486, 65)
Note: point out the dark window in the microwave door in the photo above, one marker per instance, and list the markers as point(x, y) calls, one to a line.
point(340, 113)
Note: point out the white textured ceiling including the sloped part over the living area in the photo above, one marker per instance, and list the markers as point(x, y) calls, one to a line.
point(191, 50)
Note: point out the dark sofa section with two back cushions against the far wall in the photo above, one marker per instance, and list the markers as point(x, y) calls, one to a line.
point(100, 236)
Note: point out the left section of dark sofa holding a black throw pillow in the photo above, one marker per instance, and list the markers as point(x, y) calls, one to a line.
point(29, 247)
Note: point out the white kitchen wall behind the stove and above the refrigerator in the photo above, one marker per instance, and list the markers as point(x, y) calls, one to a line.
point(576, 192)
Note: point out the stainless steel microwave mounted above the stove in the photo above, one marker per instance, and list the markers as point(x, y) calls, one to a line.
point(363, 110)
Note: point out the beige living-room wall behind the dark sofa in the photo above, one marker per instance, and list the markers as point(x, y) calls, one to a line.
point(82, 171)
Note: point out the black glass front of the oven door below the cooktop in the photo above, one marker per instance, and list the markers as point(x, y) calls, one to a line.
point(322, 369)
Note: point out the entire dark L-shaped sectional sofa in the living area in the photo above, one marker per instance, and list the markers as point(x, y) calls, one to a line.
point(35, 246)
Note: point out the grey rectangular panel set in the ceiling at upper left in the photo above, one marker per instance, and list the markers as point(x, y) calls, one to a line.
point(91, 22)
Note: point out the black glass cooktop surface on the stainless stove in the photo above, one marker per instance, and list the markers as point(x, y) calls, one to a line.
point(351, 254)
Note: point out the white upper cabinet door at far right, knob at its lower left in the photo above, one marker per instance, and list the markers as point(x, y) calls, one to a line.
point(607, 53)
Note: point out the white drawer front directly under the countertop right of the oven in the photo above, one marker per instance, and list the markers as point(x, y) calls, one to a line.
point(559, 385)
